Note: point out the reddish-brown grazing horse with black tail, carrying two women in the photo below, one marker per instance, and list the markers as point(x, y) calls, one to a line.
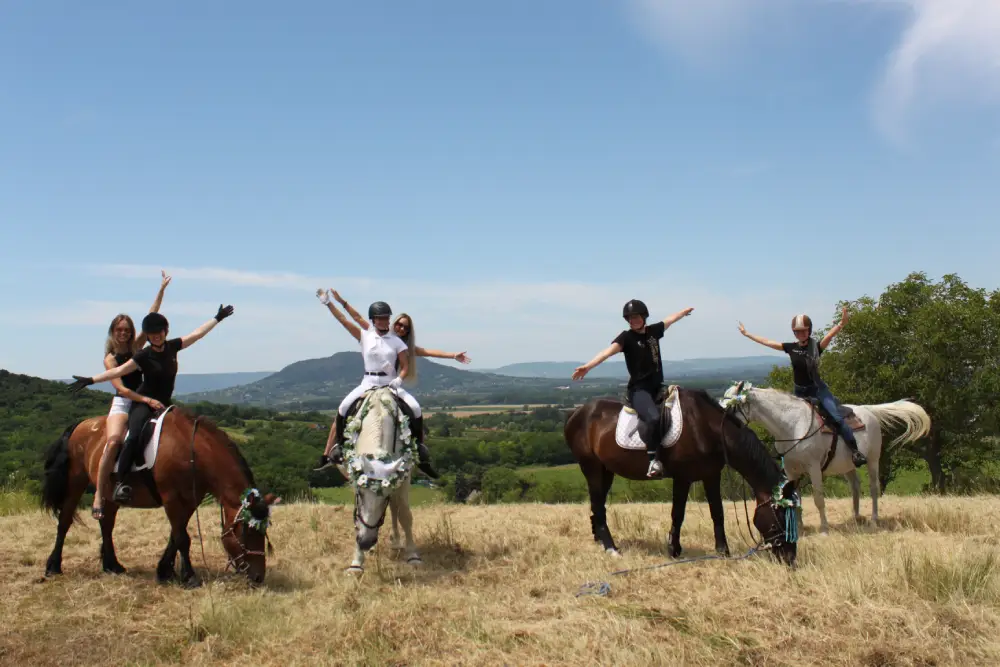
point(194, 458)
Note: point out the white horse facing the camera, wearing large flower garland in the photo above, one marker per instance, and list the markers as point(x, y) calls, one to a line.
point(378, 459)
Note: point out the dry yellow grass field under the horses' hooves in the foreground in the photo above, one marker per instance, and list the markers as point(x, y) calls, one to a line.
point(499, 586)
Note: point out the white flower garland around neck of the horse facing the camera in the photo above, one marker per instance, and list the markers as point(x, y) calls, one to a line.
point(358, 465)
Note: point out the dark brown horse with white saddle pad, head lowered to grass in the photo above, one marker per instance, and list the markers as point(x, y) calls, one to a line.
point(710, 439)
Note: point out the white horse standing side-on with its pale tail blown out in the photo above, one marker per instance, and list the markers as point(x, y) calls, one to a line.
point(805, 447)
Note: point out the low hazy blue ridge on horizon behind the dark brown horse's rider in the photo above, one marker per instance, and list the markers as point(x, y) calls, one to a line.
point(734, 366)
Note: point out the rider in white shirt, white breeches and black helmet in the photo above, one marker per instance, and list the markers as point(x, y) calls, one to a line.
point(387, 364)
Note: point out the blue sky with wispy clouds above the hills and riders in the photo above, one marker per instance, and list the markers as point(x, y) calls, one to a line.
point(509, 173)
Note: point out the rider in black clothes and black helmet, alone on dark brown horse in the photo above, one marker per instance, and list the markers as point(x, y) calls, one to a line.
point(641, 345)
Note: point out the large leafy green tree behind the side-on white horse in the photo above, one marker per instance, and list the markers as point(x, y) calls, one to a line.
point(937, 344)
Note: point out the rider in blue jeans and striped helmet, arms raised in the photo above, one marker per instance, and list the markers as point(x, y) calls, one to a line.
point(805, 353)
